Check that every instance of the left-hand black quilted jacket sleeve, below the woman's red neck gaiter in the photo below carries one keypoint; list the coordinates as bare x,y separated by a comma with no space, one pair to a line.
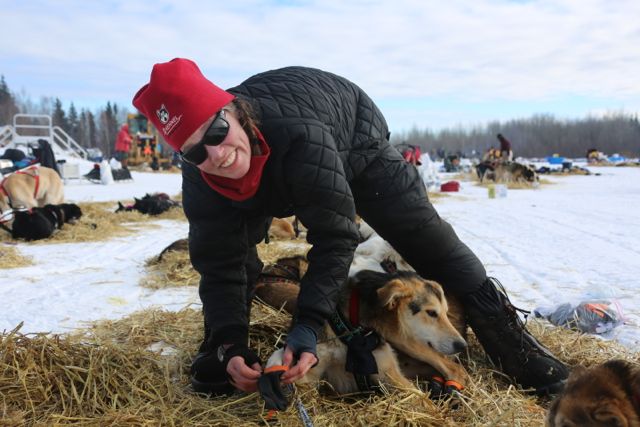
218,247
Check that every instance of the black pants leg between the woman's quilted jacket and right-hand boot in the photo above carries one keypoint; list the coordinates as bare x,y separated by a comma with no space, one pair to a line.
391,197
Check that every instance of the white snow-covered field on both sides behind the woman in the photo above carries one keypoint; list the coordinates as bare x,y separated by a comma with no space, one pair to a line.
571,240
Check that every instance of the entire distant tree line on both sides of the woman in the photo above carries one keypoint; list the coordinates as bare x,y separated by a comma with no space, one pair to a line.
537,136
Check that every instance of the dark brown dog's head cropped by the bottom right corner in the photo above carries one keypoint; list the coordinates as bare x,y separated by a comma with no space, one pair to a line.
603,395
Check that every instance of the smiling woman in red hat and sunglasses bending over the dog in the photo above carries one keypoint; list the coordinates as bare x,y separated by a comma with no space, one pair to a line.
306,142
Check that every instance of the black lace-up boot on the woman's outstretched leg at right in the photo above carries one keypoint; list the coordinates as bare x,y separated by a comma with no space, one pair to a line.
509,345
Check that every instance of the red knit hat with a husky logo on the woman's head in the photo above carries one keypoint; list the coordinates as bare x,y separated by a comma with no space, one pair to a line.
178,99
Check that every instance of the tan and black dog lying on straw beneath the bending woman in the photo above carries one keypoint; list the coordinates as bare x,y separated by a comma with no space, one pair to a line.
408,312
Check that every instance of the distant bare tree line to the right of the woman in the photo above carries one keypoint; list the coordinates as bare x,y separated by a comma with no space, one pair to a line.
537,136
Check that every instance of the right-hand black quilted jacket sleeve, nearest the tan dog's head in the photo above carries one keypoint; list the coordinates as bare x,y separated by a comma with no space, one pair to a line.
325,205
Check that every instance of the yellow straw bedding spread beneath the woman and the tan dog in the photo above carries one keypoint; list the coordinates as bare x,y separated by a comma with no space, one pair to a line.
135,372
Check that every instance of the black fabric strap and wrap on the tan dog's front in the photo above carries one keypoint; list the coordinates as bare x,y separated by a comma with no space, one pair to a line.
360,344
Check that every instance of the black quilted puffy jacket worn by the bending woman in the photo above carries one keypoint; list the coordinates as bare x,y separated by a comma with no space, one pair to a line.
323,130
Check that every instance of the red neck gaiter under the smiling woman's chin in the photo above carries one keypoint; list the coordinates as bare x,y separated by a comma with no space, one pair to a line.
247,186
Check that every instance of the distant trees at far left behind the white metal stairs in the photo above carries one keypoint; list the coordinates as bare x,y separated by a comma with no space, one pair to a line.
96,129
